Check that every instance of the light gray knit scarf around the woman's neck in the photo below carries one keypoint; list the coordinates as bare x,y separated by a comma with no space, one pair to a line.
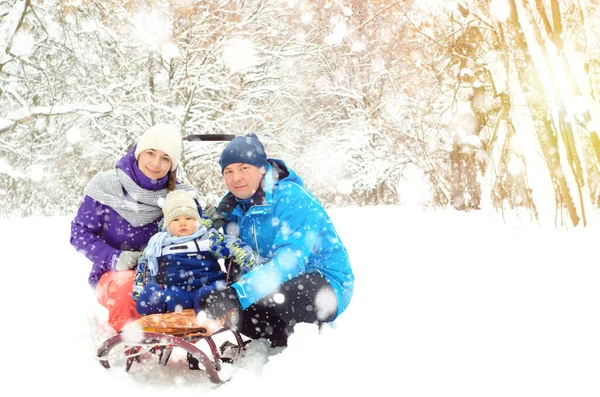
139,206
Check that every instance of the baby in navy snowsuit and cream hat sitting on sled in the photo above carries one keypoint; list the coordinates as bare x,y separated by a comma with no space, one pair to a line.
180,265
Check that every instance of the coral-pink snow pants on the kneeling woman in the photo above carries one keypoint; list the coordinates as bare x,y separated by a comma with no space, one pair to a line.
114,292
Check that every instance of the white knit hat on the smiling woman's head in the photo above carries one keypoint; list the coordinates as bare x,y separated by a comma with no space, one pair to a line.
163,137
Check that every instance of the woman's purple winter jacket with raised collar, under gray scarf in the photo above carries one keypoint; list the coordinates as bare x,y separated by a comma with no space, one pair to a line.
101,234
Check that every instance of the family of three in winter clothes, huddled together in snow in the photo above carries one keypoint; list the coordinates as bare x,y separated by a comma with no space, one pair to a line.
154,249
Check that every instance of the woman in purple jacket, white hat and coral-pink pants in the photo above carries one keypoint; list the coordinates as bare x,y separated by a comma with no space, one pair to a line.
119,214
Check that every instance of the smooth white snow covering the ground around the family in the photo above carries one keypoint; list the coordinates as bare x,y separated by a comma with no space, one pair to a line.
446,303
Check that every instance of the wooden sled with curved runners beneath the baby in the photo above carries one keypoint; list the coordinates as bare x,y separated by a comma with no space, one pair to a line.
160,333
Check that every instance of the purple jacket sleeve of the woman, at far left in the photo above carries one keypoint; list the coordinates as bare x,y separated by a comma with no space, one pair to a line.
85,236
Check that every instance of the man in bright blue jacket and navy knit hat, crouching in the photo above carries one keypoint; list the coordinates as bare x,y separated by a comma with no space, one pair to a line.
306,274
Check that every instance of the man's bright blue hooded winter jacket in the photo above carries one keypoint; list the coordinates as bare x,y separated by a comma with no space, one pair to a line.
291,229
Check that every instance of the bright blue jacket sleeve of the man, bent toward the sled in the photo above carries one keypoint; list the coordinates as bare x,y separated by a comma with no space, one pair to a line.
299,217
